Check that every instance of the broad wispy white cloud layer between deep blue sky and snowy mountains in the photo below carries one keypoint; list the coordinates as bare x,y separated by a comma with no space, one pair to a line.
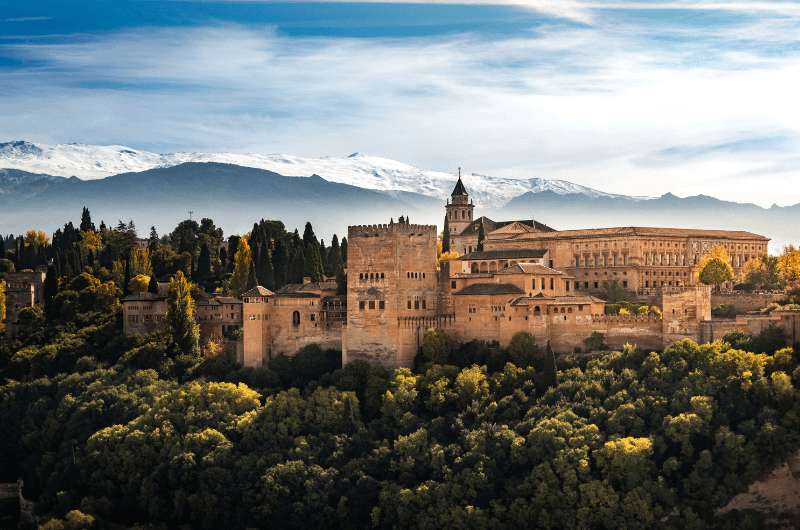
592,104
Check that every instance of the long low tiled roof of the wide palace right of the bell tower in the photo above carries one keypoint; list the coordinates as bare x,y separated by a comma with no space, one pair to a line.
644,231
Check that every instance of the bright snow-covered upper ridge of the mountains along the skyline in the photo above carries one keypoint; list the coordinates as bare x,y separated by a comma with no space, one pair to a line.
93,162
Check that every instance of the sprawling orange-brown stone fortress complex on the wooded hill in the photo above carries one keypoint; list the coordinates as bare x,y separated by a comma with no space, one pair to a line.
510,277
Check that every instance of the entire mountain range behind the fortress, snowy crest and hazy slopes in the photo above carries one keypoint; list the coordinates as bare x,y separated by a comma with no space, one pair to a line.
116,182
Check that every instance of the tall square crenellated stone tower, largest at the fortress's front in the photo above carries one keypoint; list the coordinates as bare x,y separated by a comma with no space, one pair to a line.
391,286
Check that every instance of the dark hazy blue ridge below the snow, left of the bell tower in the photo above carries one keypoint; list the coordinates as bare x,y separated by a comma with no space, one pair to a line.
234,196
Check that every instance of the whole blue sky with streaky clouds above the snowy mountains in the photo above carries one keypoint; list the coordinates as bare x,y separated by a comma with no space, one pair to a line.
687,96
